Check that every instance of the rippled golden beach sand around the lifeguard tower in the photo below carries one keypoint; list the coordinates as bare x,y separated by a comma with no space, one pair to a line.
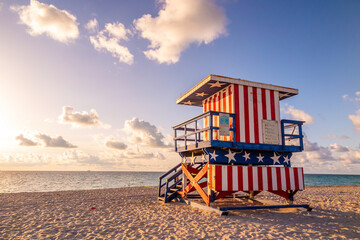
135,213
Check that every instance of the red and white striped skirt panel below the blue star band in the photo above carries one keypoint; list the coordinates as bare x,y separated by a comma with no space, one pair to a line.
245,178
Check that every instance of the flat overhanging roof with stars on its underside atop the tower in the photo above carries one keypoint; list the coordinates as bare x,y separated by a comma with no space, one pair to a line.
214,83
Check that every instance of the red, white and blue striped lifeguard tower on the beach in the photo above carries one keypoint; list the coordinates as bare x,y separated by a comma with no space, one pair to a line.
239,143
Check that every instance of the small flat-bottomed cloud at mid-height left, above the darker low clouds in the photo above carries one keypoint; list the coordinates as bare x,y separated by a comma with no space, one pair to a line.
81,119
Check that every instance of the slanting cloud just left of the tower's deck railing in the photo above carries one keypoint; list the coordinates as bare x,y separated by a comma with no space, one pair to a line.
145,133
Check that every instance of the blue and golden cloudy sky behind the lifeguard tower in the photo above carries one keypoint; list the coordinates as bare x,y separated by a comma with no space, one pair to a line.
92,85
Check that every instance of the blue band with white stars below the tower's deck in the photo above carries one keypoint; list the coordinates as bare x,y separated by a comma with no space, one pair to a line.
230,156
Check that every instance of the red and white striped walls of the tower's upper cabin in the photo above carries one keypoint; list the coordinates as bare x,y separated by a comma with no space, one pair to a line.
251,105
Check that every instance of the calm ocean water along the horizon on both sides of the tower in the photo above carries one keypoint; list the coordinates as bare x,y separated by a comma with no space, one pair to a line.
16,181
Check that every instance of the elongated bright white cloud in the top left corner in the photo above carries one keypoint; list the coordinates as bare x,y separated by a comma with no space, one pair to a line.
46,19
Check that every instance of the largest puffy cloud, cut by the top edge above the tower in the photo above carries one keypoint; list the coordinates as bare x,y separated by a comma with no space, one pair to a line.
178,24
